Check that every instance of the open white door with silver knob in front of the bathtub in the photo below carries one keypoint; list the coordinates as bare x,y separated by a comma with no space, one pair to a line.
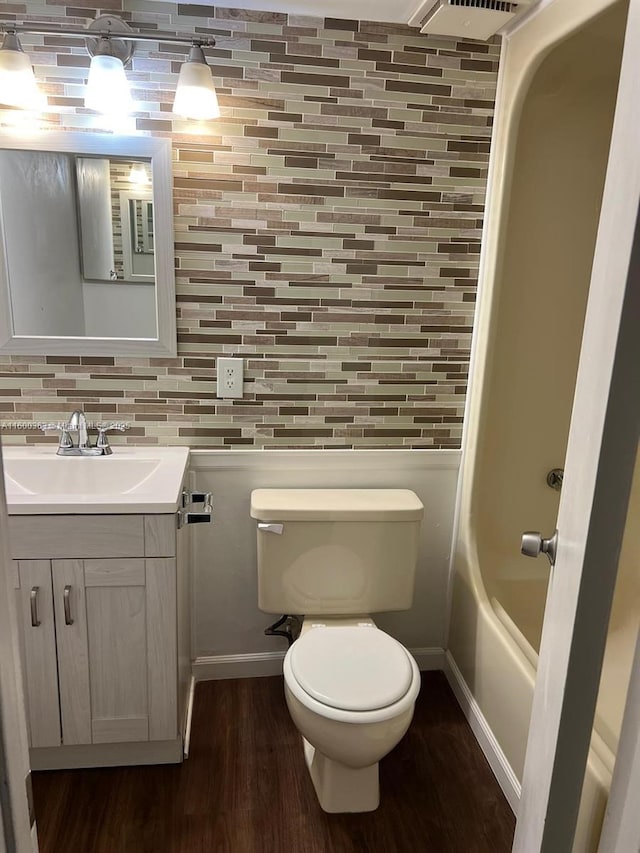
603,441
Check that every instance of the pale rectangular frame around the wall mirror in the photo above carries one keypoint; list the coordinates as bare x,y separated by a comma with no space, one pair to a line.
158,151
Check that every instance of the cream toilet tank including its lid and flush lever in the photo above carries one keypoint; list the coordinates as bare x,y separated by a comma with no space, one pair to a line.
336,551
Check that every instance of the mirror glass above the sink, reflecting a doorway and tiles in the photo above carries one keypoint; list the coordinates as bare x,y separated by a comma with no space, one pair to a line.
71,248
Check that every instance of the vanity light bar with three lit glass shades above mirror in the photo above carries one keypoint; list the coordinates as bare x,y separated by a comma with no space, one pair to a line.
110,42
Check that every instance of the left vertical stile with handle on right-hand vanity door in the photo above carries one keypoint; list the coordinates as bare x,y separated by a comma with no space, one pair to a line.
73,650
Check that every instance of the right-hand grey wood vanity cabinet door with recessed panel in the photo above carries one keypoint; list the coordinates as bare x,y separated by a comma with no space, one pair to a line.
116,629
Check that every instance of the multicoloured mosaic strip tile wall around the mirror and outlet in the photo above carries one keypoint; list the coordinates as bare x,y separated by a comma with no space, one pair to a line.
327,227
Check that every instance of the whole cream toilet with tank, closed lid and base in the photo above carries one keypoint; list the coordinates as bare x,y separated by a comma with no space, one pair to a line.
335,556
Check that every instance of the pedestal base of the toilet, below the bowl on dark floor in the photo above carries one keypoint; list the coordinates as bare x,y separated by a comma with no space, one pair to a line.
342,789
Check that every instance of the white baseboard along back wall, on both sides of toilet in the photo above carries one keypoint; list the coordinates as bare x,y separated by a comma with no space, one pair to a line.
215,667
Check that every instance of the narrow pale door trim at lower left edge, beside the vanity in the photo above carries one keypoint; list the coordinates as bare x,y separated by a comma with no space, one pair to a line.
15,823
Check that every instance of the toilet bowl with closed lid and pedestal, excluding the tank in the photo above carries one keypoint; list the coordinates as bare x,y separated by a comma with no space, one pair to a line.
351,690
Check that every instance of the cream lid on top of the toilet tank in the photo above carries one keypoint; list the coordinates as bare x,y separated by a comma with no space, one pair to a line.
336,505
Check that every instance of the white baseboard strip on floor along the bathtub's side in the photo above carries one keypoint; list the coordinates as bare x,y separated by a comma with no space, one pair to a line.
498,762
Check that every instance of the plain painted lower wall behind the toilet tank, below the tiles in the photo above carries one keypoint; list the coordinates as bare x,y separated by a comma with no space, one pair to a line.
226,619
